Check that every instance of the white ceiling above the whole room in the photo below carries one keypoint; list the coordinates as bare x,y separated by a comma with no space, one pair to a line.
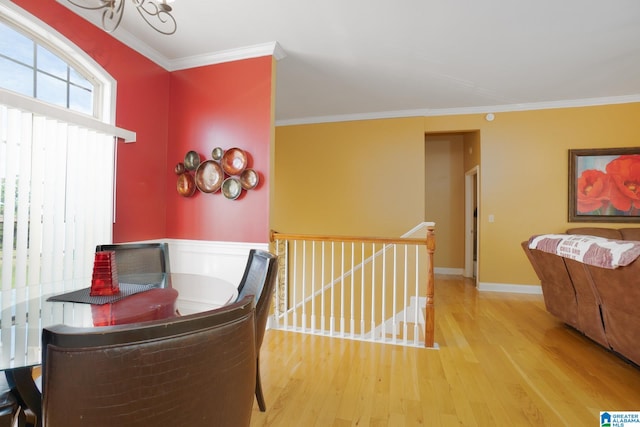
358,59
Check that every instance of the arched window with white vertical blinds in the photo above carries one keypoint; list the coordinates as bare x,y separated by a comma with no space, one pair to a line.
56,164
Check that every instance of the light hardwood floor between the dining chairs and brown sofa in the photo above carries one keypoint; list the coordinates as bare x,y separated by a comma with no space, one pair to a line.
502,361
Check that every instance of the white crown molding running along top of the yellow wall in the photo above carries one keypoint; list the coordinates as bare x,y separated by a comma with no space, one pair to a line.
432,112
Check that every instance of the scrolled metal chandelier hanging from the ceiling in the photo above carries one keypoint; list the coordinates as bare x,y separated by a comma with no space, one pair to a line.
156,13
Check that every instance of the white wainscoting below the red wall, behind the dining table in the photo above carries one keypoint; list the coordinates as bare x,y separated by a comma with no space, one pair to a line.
225,260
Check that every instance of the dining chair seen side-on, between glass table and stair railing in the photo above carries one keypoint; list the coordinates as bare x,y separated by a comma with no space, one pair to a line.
259,280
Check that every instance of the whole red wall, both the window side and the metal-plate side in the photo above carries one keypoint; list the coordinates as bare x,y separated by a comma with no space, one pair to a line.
225,105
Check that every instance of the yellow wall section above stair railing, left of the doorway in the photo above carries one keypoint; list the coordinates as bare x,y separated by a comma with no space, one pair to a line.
349,178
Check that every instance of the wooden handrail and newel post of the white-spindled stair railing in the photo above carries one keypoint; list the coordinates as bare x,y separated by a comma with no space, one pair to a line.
429,242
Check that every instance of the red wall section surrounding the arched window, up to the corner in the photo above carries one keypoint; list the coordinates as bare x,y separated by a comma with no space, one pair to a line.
142,106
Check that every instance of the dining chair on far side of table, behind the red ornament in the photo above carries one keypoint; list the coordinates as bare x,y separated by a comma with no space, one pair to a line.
139,259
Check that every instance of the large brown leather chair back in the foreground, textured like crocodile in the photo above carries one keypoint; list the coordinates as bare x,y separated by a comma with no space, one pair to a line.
195,370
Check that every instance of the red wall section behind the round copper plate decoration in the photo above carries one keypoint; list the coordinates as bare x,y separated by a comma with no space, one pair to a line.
225,105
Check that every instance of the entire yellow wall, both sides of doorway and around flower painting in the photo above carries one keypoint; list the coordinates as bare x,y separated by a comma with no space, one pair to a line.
368,177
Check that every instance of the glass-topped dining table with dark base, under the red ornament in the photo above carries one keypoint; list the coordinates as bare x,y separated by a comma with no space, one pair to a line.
141,298
